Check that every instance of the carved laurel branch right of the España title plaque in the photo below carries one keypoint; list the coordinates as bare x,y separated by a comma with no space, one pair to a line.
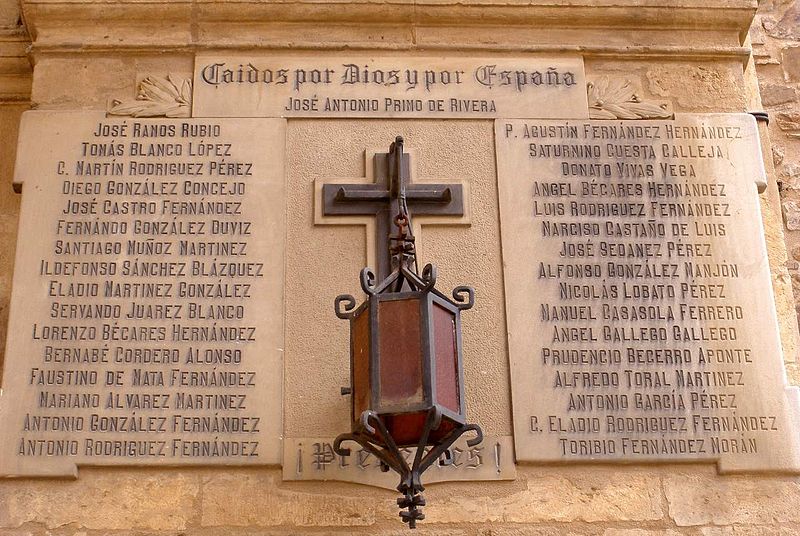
617,99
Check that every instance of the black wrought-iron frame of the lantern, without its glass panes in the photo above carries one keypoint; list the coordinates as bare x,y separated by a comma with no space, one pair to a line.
369,428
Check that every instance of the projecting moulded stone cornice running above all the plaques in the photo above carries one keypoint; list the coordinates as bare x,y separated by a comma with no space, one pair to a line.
222,24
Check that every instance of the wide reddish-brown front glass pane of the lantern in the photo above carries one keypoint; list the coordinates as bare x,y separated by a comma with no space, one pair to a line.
400,351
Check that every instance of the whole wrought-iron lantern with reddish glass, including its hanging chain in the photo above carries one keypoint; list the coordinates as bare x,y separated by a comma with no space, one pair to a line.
406,372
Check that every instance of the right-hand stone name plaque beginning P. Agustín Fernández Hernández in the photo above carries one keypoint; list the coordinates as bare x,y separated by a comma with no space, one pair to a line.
640,311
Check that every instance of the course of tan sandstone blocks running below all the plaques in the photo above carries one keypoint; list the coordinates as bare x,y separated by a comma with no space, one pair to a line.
574,501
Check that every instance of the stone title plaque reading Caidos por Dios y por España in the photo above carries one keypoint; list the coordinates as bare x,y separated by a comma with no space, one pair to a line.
391,86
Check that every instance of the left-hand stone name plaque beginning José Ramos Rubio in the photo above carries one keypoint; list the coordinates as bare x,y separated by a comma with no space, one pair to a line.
146,321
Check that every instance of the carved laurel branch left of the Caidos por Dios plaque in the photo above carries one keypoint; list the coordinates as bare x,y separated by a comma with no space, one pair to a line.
158,97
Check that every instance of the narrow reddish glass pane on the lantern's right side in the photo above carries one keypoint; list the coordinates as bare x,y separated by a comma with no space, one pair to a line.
445,348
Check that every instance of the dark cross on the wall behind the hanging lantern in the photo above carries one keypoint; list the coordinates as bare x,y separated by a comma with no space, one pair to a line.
381,199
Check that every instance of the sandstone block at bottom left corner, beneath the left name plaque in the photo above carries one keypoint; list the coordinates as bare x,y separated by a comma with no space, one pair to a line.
102,500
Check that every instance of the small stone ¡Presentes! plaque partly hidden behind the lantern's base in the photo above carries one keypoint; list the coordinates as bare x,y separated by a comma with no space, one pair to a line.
314,459
